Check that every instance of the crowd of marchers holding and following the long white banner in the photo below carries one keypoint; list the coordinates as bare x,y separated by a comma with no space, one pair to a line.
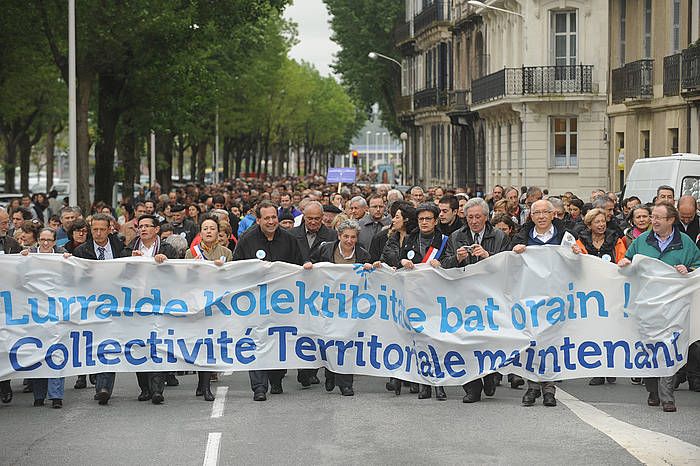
304,221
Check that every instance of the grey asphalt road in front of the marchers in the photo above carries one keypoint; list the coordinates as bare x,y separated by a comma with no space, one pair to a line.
373,427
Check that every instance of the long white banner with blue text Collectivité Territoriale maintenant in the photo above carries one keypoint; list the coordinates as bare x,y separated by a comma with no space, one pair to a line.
546,314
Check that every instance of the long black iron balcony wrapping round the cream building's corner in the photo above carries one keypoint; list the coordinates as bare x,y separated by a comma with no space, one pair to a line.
533,80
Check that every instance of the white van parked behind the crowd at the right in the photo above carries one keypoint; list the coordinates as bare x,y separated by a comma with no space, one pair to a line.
680,171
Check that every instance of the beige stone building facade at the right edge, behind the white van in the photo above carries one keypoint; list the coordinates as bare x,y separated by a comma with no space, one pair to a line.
654,57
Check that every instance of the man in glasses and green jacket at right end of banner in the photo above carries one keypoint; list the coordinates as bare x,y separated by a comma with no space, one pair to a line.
666,243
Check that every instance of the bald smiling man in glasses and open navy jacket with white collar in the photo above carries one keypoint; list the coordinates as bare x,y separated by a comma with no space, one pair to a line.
540,230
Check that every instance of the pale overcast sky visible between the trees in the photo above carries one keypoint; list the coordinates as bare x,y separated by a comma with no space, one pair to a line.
315,44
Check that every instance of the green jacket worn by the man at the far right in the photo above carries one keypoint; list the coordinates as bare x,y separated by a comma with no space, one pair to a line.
681,251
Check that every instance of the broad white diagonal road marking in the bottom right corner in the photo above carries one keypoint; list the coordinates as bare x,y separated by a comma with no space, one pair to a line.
647,446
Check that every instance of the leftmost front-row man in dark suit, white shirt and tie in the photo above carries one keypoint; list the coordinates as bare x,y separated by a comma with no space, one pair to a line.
102,246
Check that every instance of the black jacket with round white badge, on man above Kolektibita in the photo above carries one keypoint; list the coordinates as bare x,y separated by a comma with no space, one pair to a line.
284,247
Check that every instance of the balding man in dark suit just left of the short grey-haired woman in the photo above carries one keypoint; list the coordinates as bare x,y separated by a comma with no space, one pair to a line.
310,235
